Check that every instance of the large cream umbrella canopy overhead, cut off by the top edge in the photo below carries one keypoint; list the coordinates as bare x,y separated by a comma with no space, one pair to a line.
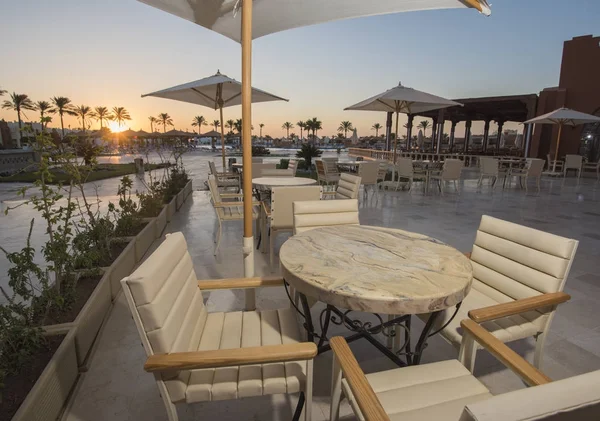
270,16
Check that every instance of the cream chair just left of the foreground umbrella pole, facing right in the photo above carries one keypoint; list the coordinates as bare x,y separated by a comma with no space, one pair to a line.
228,207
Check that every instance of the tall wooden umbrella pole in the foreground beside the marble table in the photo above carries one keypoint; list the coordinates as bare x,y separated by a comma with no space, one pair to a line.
248,247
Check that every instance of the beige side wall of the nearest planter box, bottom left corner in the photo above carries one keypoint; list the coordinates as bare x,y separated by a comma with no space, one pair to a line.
50,392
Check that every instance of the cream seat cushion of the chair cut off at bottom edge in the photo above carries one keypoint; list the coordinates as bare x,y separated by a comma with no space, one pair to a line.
436,391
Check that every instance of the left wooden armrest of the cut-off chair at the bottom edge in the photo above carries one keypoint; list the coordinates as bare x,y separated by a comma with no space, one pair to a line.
365,396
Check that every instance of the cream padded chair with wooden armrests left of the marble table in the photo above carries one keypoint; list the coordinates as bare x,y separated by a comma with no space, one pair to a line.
198,356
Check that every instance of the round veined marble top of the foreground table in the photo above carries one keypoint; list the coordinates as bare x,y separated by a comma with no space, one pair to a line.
375,269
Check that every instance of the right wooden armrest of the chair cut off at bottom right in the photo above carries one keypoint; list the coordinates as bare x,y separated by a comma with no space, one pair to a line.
530,375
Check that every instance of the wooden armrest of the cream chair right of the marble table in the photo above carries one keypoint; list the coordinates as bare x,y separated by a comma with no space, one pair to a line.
498,311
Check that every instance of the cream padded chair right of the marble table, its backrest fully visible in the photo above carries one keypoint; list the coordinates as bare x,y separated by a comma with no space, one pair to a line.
513,267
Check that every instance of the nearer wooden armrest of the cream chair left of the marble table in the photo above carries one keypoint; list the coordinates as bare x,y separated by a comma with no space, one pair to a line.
230,357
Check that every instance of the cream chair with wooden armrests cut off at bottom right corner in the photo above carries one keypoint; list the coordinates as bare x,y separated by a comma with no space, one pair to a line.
448,391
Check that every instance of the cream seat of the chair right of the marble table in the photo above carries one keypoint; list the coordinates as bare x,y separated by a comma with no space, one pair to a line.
506,329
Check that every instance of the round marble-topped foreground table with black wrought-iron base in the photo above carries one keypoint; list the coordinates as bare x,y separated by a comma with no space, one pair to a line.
374,270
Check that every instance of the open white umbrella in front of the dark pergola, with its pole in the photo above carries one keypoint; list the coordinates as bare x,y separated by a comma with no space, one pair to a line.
402,99
